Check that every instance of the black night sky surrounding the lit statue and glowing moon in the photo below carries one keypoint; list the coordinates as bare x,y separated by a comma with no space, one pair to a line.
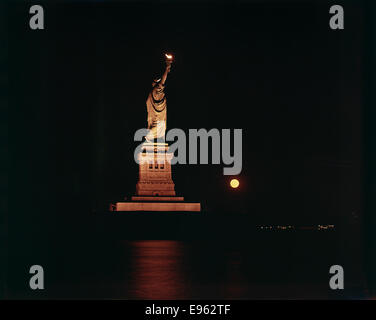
78,92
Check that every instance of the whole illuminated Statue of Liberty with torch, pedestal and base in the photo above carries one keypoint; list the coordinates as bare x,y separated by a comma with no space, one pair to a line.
155,189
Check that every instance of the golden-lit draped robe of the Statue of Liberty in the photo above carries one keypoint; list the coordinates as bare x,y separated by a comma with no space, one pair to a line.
157,113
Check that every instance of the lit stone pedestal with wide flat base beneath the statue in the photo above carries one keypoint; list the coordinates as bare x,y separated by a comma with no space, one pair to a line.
155,190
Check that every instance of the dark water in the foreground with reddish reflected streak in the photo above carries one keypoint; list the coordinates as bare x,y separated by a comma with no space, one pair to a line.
264,265
